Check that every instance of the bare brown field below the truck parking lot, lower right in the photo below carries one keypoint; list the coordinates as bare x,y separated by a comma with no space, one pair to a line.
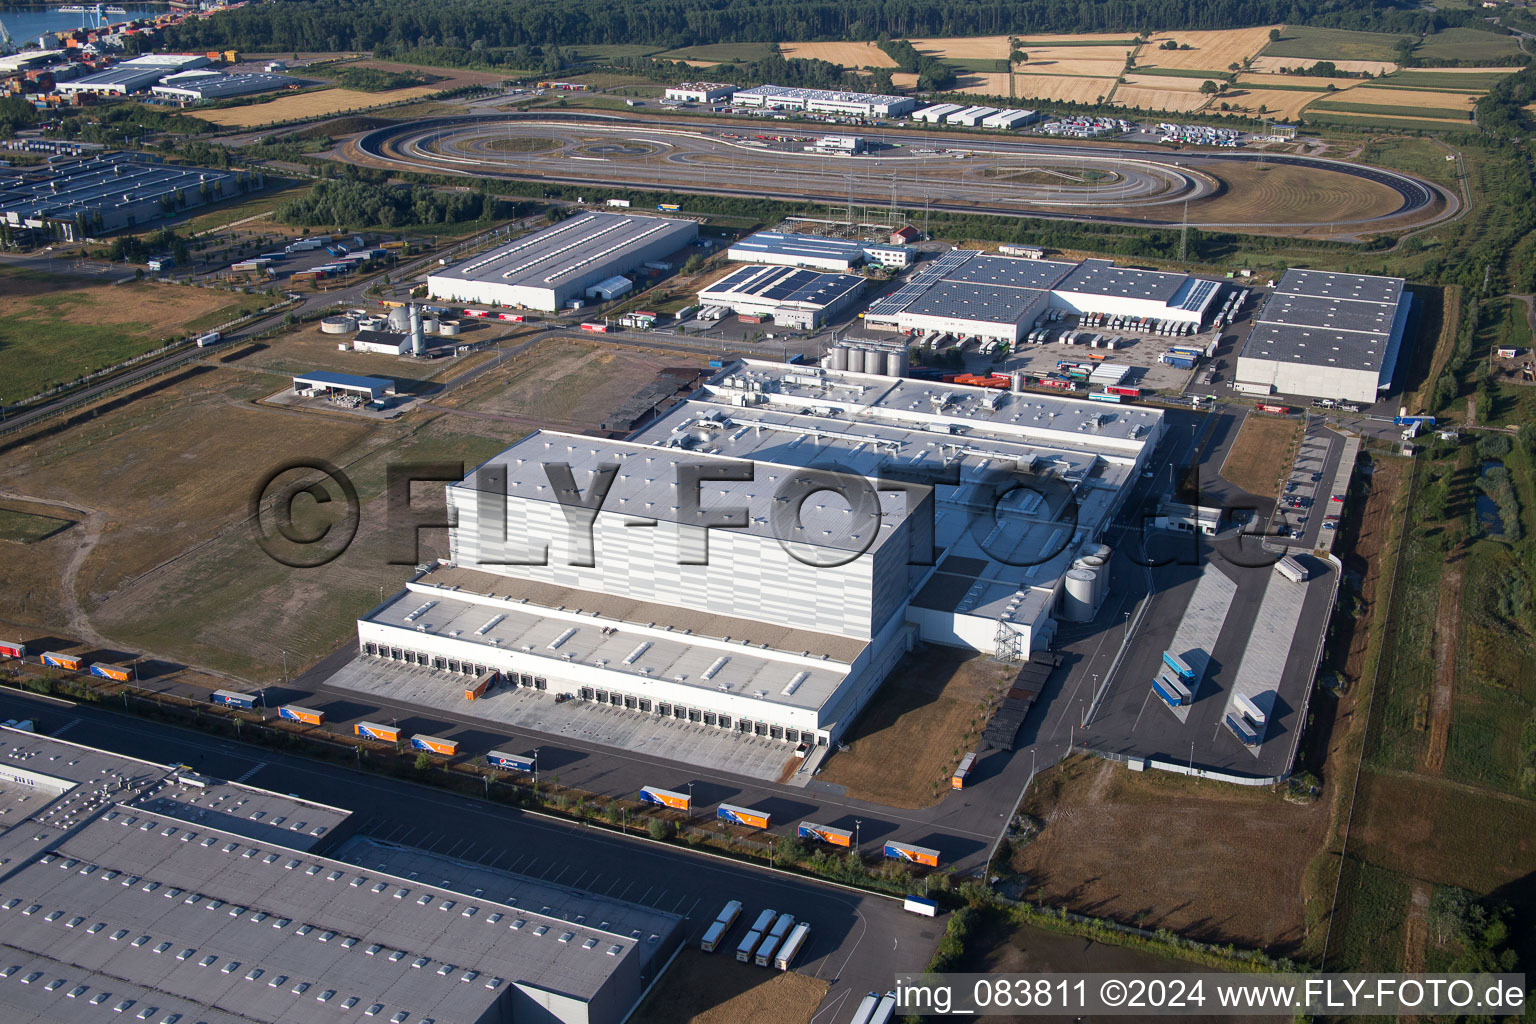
1208,839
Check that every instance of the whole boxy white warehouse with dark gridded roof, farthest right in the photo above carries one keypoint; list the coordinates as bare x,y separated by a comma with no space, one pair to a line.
1328,335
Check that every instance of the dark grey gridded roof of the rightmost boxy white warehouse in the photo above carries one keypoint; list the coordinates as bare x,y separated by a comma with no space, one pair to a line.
1331,320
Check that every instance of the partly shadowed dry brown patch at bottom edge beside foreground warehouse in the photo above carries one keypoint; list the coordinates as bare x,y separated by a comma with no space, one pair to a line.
704,989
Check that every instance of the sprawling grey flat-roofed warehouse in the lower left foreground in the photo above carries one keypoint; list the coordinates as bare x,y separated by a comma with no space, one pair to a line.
177,899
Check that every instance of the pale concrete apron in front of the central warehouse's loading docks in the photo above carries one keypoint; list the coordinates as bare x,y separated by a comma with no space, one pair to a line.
753,758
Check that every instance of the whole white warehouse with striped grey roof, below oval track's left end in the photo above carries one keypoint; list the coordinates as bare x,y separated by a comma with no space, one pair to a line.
551,268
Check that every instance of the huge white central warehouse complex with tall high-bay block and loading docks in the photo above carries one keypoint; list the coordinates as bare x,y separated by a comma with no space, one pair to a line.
784,619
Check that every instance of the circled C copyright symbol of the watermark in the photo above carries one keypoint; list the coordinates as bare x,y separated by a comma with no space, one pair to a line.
300,521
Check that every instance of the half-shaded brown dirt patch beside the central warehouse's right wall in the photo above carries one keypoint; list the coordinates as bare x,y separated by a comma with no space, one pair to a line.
919,721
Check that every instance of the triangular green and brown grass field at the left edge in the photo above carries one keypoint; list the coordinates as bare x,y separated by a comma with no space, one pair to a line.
55,329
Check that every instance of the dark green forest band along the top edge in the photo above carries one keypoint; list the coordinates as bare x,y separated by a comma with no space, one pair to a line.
488,25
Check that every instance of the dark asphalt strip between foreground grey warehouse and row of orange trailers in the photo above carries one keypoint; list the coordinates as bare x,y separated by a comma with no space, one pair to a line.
858,940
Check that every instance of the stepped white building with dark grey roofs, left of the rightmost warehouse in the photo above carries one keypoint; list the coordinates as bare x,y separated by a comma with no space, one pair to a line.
998,299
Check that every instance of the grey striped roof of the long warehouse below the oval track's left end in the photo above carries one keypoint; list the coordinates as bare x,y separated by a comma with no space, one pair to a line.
564,253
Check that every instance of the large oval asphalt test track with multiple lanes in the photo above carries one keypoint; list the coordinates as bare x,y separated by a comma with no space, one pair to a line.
910,170
